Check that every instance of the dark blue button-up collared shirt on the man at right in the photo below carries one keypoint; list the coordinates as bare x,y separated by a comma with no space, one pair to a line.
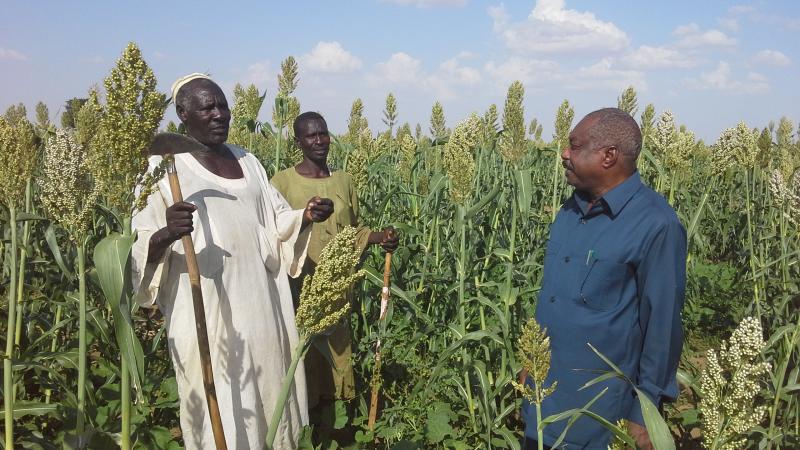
614,276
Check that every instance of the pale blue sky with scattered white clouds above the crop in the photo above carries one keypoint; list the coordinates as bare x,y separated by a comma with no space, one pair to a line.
713,63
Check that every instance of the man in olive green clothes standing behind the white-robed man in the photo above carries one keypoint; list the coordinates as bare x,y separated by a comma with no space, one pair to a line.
329,371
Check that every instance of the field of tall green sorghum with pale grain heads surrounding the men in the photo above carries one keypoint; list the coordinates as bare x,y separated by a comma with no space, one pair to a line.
83,368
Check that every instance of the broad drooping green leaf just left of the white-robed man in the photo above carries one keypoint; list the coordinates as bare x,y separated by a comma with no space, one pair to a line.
111,261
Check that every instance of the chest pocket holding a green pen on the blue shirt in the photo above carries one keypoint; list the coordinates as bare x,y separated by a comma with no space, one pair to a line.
603,284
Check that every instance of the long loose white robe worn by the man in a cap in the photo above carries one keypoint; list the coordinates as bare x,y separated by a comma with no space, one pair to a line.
247,239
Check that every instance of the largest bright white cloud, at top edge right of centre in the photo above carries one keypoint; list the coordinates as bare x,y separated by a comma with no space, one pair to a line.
551,27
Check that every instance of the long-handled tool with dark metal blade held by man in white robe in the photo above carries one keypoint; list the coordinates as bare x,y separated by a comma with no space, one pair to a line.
168,144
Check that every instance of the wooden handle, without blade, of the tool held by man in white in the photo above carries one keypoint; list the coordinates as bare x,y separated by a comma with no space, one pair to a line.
199,316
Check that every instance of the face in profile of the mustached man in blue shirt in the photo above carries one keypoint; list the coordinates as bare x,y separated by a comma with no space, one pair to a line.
582,159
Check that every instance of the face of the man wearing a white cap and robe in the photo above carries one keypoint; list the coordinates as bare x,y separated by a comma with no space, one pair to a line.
206,116
